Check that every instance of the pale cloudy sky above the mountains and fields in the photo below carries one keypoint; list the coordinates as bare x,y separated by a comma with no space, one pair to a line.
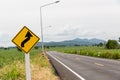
66,20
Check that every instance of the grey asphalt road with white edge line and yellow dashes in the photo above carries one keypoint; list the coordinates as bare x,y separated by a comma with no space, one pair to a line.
77,67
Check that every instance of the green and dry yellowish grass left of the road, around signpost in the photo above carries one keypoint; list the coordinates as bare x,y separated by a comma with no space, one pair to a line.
12,65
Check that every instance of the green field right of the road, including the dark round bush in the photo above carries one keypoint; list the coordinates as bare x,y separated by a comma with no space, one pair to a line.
110,49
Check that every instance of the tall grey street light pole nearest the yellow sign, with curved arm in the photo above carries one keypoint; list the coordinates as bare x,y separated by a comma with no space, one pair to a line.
42,24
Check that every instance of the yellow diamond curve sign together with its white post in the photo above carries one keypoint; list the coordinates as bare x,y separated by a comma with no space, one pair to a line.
25,40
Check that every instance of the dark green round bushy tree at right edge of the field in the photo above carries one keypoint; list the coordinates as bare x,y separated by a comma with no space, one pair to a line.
112,44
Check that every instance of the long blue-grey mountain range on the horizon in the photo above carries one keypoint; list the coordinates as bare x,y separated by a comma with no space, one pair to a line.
73,42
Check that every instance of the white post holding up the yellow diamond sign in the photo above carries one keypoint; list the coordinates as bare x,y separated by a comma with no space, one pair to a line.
27,64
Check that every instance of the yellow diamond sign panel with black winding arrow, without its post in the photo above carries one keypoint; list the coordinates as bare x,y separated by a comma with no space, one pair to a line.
25,39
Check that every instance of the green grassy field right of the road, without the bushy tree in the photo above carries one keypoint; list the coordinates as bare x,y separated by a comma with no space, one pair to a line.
90,51
